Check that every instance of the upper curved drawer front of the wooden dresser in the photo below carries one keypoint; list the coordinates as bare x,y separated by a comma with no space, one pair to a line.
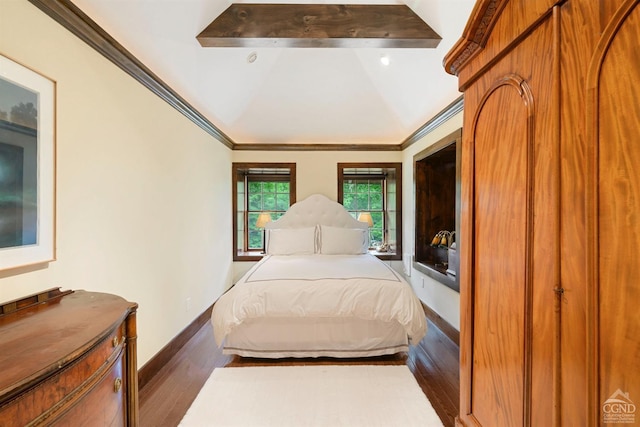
53,396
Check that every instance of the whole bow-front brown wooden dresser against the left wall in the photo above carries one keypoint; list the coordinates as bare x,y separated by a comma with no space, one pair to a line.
68,358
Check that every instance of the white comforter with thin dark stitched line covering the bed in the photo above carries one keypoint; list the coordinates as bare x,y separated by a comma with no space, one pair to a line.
320,286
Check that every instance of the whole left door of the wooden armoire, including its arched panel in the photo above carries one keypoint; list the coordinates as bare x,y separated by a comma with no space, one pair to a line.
510,211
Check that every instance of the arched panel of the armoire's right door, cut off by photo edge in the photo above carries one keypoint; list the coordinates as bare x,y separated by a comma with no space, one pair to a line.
613,205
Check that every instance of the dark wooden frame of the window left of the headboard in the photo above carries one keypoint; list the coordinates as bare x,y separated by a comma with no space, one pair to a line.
237,172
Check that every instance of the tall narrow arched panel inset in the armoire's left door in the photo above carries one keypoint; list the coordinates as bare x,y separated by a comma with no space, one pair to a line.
500,284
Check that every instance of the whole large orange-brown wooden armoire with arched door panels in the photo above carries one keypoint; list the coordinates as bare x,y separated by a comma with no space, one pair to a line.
550,213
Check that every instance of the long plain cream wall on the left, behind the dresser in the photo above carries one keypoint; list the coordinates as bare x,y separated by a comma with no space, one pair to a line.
143,194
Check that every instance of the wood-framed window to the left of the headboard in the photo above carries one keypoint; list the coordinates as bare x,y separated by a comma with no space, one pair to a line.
266,189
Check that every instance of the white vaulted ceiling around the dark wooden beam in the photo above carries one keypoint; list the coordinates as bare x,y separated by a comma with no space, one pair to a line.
290,95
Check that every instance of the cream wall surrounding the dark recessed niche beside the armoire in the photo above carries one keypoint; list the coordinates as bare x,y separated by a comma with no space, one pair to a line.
442,299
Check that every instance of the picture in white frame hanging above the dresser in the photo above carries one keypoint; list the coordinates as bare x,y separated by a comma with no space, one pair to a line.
27,166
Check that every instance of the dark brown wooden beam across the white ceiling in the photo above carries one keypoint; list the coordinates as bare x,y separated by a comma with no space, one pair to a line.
318,25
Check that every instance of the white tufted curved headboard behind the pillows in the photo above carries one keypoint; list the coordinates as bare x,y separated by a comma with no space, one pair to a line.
316,209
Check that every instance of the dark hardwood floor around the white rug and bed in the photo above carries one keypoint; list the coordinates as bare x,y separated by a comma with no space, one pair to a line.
166,397
